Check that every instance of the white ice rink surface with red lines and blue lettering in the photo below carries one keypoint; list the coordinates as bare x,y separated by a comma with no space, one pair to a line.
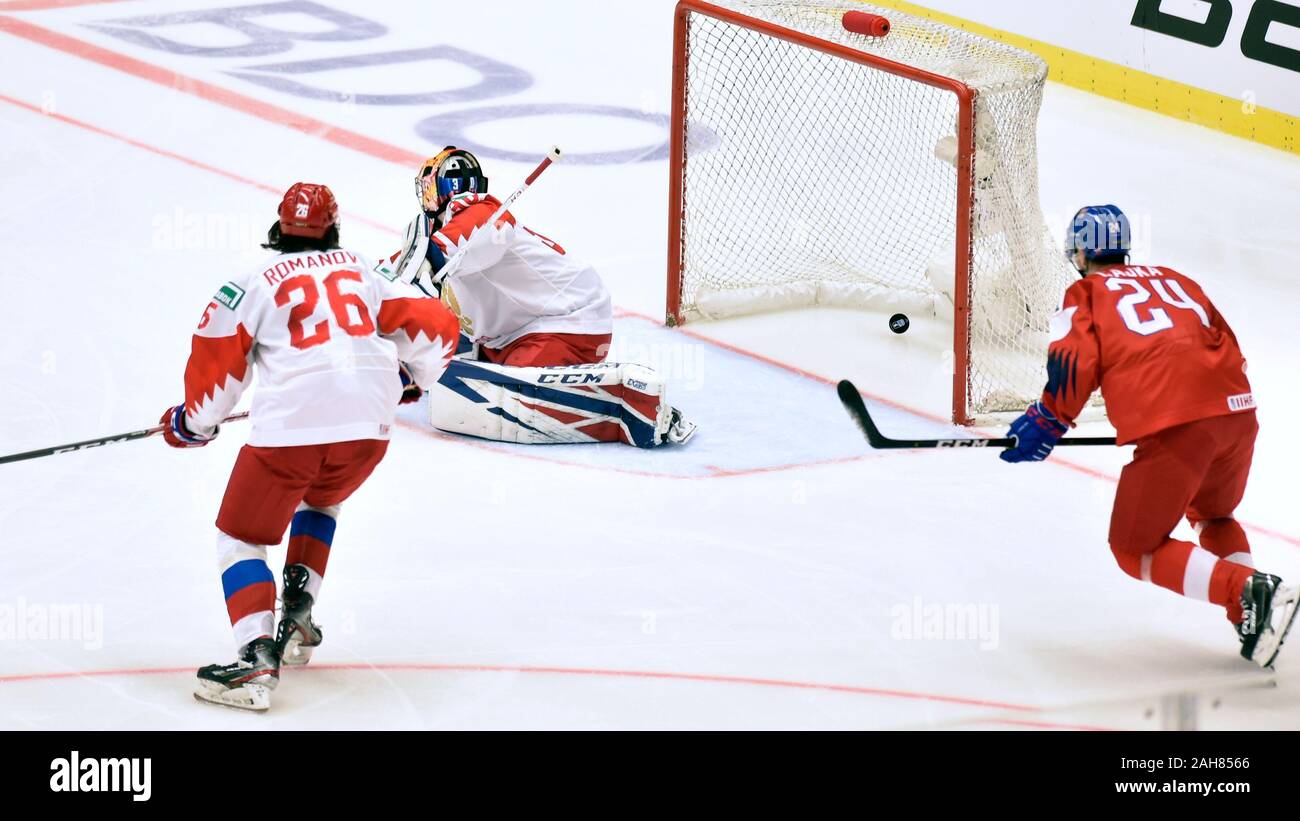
774,574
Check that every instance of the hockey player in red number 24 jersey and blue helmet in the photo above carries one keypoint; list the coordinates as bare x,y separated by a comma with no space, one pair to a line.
1176,386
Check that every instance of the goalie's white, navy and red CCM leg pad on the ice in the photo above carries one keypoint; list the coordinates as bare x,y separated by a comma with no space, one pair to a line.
605,402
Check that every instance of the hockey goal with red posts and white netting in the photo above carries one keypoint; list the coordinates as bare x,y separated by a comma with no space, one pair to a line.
813,166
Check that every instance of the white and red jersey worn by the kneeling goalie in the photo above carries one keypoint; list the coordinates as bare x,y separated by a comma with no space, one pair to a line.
510,281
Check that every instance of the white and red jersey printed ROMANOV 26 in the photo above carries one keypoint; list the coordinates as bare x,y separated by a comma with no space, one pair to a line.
326,333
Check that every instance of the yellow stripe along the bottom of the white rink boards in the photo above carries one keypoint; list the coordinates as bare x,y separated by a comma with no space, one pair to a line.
1156,94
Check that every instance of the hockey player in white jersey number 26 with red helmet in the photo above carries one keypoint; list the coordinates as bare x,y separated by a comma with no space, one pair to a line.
326,335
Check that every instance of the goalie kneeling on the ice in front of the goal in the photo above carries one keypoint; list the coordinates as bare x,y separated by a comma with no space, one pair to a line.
536,325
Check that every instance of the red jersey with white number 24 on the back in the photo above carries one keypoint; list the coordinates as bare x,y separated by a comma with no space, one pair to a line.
1154,342
